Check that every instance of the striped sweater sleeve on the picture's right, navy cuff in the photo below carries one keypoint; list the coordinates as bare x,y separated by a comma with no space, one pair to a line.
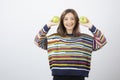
99,39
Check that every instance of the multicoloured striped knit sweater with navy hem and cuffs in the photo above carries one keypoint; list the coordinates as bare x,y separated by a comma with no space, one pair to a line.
70,55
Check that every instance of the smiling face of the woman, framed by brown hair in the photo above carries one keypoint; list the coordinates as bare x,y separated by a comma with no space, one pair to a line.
69,21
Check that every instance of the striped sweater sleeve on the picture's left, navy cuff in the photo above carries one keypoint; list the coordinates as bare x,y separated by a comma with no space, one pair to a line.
41,39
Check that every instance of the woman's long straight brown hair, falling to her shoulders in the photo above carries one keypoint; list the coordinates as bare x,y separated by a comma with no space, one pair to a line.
61,29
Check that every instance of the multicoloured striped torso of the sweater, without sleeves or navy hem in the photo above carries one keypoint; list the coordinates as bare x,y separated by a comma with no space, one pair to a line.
73,53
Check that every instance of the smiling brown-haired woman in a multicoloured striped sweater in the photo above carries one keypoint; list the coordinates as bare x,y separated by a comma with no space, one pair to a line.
70,51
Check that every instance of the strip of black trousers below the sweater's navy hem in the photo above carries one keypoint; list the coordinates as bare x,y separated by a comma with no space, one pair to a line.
68,78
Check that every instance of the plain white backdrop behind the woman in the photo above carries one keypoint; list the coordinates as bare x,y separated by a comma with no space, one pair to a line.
20,20
